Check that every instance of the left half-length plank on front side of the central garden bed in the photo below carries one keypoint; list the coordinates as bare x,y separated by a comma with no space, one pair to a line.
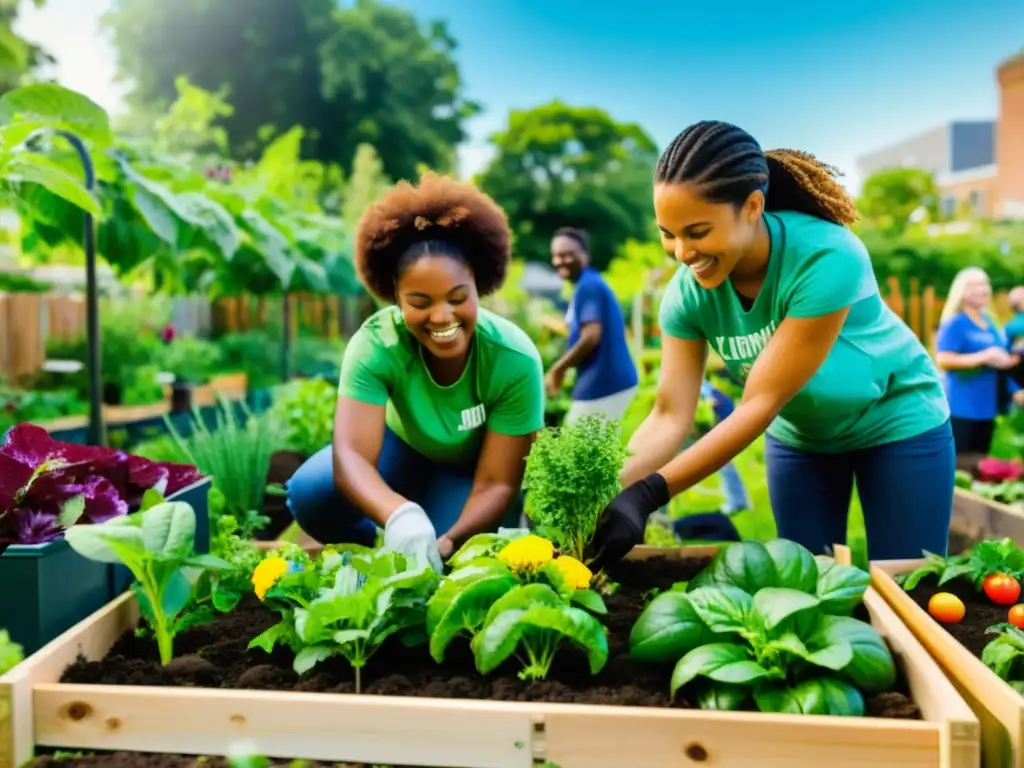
315,727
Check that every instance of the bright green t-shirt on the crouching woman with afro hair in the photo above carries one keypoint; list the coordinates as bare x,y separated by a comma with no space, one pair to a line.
502,388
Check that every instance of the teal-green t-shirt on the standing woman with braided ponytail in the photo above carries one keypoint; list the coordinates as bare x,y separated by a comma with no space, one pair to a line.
877,386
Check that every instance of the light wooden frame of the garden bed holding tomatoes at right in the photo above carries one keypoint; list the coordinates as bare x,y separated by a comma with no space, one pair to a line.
999,707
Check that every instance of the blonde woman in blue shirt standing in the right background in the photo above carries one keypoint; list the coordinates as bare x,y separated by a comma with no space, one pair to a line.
971,350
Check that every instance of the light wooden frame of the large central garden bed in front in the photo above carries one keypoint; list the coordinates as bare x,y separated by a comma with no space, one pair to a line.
418,731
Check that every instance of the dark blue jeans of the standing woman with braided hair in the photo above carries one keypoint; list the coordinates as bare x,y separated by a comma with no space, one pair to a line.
906,490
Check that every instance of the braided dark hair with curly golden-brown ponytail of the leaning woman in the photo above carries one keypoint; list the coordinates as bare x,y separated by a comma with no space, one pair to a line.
728,164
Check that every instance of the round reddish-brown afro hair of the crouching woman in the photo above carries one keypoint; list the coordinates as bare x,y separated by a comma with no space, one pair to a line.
440,217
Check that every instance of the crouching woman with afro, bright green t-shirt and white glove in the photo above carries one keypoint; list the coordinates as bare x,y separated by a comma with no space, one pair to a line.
440,399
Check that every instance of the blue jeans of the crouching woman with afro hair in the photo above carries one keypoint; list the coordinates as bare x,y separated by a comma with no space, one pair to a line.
442,490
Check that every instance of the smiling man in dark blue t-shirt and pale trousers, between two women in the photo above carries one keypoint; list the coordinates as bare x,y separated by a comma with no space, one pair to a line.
607,376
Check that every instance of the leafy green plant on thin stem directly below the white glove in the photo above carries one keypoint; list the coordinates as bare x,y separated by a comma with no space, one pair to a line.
374,596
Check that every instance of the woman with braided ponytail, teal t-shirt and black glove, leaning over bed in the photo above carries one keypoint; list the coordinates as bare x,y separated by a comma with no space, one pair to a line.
780,287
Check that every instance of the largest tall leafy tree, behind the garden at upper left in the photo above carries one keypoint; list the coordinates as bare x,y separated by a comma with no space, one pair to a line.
366,73
